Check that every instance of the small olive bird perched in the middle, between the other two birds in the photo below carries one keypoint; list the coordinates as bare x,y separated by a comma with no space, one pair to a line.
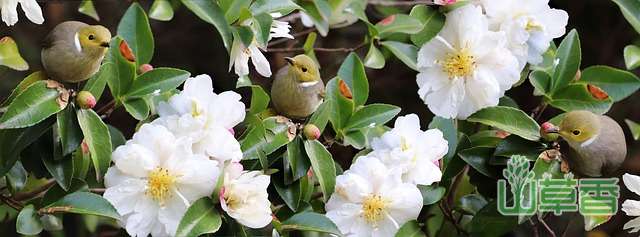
297,90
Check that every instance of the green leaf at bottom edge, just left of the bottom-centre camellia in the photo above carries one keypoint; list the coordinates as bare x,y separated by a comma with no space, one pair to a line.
310,221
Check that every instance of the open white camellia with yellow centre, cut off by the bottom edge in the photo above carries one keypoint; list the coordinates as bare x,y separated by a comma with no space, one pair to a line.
371,200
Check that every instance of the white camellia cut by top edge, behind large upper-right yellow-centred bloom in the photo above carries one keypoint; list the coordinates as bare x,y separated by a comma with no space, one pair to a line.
530,26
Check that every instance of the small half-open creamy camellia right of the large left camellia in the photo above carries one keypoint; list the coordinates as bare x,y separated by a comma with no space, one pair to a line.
244,196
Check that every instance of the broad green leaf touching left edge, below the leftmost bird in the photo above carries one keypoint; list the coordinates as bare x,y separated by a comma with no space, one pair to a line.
35,104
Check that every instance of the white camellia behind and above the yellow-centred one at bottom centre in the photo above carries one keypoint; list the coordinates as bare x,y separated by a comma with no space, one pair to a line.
414,151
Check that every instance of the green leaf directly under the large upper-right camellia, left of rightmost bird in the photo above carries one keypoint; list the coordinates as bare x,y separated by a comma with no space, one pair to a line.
509,119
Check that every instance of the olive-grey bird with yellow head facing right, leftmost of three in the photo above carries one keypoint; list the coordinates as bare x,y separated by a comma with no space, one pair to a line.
73,51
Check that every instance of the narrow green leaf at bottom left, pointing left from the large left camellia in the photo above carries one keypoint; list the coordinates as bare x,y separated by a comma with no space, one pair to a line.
86,203
